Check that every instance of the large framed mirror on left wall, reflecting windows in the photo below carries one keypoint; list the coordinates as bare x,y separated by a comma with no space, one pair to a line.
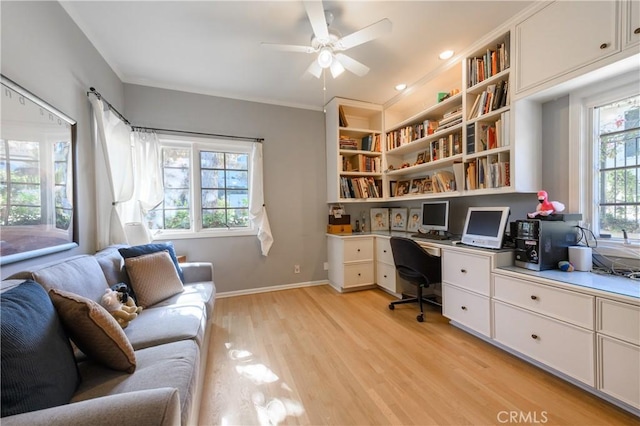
40,143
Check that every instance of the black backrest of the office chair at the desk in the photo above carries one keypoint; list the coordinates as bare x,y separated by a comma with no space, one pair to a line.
413,263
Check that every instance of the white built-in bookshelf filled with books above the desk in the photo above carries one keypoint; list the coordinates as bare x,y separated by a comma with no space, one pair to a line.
452,135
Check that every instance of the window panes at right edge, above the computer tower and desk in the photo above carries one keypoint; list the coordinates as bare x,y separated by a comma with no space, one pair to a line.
616,181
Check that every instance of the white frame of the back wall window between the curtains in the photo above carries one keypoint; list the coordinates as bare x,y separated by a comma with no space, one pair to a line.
196,145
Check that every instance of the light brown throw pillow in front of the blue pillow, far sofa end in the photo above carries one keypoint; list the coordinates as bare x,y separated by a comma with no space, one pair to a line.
153,277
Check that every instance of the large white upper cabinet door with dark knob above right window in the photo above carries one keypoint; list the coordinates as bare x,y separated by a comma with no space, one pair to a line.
563,37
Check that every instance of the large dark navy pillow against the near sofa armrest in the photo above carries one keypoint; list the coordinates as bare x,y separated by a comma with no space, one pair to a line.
38,368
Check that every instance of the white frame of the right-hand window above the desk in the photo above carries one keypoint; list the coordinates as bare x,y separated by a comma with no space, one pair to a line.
583,136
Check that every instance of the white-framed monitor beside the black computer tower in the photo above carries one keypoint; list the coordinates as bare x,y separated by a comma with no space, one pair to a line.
485,226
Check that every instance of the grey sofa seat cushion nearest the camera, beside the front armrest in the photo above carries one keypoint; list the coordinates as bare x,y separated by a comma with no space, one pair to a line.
174,365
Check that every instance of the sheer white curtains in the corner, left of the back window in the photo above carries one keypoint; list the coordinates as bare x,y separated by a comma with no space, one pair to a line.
128,179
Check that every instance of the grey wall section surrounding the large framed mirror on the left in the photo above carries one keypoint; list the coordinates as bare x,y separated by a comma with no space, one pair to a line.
45,52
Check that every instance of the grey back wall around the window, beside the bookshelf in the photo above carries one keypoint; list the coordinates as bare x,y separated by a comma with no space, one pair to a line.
294,183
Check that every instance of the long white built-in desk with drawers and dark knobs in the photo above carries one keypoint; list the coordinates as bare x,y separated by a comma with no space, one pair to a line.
581,326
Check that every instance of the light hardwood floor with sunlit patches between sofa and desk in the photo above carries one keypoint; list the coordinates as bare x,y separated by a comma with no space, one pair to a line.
313,356
